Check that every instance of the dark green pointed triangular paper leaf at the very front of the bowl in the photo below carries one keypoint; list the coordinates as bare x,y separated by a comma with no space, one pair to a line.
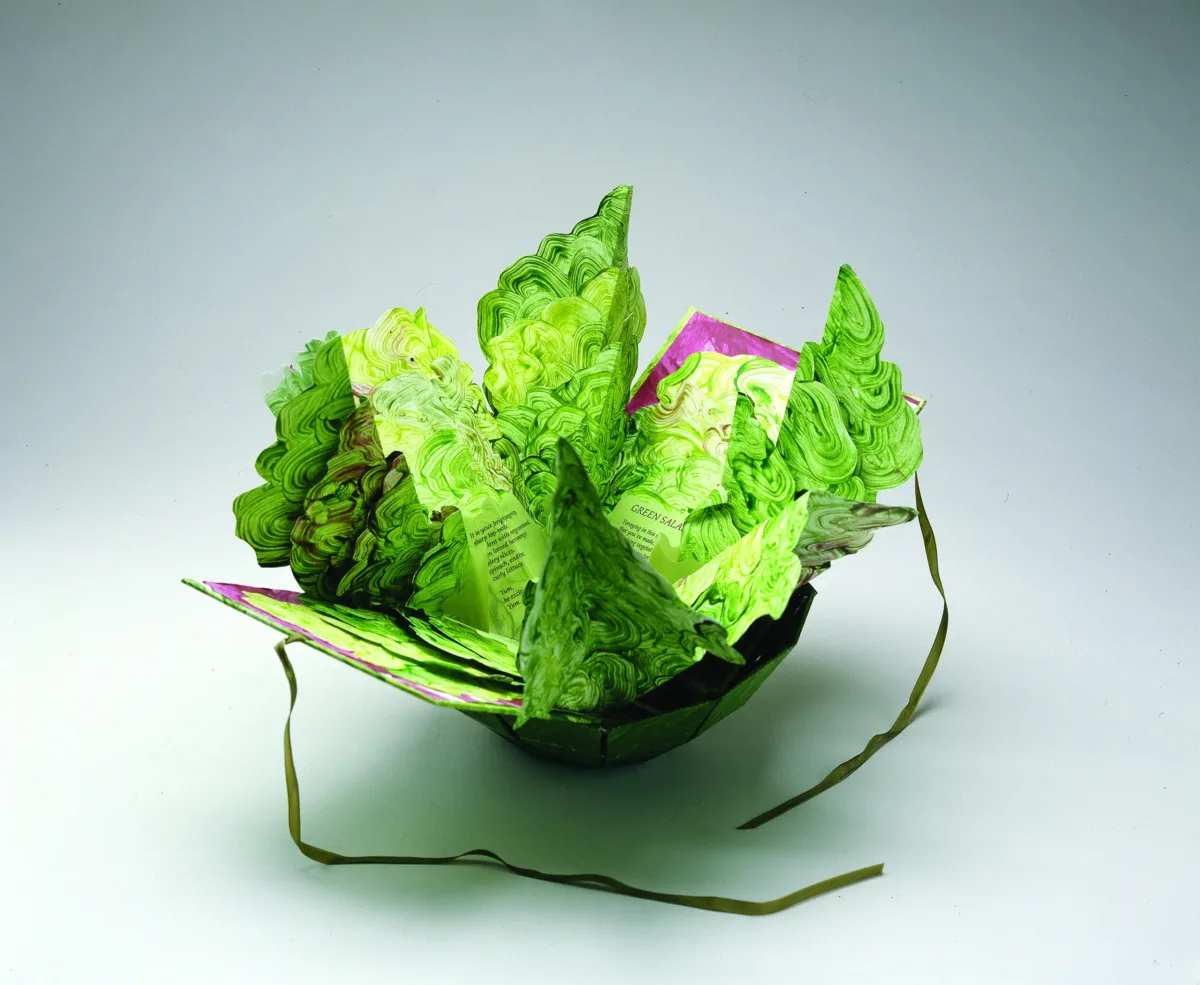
603,627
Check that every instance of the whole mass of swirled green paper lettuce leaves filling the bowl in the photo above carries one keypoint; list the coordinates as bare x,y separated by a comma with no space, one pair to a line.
383,488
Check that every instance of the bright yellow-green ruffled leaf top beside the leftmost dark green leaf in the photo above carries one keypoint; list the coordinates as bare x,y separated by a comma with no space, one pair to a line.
401,341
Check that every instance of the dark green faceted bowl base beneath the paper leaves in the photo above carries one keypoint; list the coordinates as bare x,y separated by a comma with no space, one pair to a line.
675,714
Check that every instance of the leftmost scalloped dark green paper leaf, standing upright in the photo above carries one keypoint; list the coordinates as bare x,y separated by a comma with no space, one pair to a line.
308,430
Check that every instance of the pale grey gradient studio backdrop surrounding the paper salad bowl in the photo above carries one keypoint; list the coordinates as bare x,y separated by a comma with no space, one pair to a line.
190,193
